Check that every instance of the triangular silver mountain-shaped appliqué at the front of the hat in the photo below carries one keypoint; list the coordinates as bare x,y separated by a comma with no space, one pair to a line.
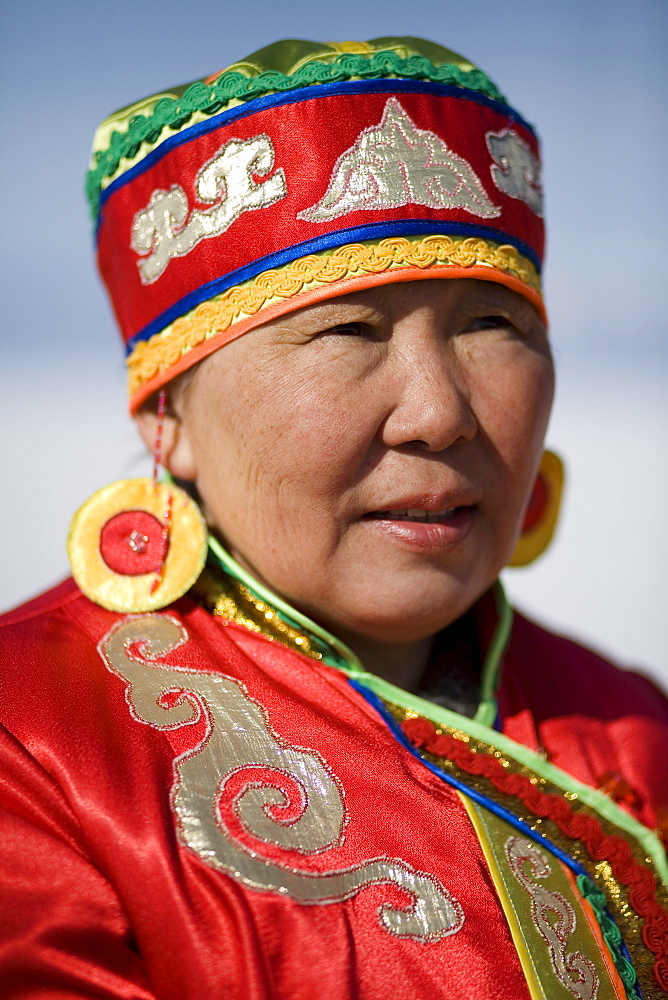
394,164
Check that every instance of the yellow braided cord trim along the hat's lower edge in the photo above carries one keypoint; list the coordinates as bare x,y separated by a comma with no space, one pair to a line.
151,357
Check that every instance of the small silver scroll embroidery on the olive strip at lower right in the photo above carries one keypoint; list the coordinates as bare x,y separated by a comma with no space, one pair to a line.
576,972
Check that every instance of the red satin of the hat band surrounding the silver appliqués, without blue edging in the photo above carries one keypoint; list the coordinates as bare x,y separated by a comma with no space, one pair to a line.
308,138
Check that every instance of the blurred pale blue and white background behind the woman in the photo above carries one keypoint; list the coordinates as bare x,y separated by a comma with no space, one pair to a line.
591,74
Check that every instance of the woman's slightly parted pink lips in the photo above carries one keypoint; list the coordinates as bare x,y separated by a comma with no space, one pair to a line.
424,530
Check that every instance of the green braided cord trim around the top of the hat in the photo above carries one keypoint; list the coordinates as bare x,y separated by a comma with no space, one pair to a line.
209,99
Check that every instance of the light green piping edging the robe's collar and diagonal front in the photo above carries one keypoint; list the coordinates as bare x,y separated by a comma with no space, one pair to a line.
337,654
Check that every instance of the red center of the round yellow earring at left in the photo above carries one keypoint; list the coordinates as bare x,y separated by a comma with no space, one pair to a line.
132,543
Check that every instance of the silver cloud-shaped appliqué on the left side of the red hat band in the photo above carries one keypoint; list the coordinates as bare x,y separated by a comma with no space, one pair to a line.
225,182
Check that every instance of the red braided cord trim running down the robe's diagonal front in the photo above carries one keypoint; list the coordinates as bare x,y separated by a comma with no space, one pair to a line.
637,878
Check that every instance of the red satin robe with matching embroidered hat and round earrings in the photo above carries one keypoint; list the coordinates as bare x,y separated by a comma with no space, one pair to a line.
207,795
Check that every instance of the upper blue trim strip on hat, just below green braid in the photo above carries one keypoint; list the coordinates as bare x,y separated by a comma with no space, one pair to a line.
297,96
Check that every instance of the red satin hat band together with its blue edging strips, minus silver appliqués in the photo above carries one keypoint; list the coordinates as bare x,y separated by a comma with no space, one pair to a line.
308,137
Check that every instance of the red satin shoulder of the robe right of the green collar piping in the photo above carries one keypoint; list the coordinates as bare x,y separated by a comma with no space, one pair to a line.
590,717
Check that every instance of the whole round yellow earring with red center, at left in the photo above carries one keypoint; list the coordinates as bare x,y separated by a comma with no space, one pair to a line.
137,545
